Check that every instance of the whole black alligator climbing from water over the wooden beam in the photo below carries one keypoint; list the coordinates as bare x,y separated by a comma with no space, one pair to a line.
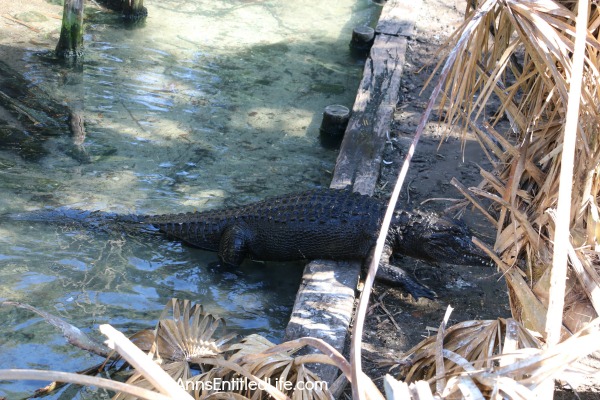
335,224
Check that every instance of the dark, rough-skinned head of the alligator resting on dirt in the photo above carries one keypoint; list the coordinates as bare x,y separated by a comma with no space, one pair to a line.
429,237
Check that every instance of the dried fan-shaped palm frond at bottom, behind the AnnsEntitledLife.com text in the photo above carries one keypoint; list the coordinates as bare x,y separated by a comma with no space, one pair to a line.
191,346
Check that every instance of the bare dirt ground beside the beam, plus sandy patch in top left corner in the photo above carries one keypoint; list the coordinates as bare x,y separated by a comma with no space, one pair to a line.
395,322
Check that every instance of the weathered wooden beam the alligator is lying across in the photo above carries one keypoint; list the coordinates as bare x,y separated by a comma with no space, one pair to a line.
325,302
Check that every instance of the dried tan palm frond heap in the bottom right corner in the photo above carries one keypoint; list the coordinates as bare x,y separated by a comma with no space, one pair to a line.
487,359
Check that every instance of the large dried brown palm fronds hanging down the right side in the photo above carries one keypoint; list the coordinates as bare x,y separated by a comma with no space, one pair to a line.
519,54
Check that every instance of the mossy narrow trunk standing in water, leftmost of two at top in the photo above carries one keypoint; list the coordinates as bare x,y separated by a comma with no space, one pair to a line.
70,44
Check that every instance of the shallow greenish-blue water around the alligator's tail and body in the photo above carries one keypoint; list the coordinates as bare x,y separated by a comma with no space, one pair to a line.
209,104
